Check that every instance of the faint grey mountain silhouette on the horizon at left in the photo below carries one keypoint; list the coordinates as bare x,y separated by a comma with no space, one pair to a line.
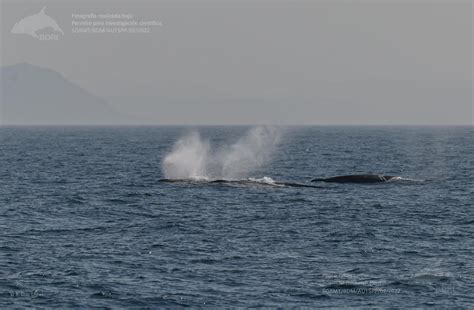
34,95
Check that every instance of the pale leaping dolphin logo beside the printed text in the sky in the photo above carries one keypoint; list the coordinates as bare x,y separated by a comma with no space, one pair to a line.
31,24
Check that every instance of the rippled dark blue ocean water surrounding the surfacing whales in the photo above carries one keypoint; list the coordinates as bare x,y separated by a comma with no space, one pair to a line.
87,220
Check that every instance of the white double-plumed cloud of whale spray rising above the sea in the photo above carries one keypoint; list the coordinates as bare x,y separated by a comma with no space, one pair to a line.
193,157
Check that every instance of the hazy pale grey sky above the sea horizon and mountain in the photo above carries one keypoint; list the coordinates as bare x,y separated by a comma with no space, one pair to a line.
252,62
